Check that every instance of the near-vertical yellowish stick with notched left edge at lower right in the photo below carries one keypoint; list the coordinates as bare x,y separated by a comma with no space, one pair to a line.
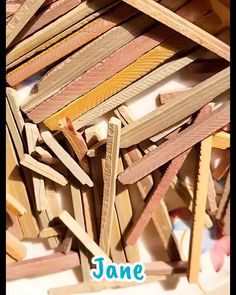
199,209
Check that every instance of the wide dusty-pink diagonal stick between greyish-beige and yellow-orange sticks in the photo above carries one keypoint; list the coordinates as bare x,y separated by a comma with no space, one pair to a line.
109,66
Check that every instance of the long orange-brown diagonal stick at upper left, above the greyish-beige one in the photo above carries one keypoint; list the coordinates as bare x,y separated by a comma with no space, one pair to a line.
86,34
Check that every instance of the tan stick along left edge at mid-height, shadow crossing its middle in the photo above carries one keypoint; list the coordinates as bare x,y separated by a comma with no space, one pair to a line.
16,187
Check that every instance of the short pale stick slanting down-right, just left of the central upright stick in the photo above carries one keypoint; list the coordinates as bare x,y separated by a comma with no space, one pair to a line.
66,159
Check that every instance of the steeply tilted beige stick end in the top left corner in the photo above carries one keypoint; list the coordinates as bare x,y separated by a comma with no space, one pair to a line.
20,19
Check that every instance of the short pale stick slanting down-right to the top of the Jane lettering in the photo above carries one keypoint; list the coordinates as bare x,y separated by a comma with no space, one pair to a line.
79,232
